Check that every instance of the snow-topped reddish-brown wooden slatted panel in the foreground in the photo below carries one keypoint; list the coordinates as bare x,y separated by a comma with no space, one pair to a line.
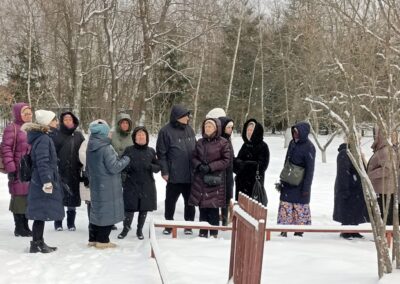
247,244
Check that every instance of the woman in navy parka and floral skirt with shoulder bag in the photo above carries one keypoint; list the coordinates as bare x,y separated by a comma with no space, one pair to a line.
294,208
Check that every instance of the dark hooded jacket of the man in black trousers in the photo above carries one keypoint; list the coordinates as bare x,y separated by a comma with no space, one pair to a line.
175,145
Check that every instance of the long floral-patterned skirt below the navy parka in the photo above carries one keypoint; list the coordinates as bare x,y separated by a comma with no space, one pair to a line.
294,214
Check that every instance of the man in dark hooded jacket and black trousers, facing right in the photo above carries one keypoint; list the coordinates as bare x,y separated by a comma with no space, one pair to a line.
175,144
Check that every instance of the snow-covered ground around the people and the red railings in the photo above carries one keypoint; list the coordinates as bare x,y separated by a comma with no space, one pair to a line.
315,258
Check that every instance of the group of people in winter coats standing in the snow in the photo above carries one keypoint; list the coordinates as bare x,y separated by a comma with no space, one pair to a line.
201,171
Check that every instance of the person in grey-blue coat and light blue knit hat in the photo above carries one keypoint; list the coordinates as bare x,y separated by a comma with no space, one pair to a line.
104,170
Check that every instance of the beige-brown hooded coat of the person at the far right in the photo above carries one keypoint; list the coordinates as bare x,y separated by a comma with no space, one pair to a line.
379,169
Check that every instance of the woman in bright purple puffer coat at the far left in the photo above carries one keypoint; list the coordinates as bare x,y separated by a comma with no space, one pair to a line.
13,147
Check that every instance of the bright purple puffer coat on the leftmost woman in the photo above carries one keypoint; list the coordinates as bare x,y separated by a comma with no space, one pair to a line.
14,135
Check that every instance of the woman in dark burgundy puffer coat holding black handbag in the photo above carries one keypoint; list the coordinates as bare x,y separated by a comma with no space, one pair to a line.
211,158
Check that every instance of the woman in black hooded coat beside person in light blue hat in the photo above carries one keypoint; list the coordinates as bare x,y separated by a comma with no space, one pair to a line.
139,188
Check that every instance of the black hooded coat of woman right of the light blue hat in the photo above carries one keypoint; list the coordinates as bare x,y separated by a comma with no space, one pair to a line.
139,186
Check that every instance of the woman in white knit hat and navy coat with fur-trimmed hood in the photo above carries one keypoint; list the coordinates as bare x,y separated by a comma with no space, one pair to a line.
45,195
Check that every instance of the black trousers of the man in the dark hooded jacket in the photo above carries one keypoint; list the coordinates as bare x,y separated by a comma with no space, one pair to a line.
174,190
